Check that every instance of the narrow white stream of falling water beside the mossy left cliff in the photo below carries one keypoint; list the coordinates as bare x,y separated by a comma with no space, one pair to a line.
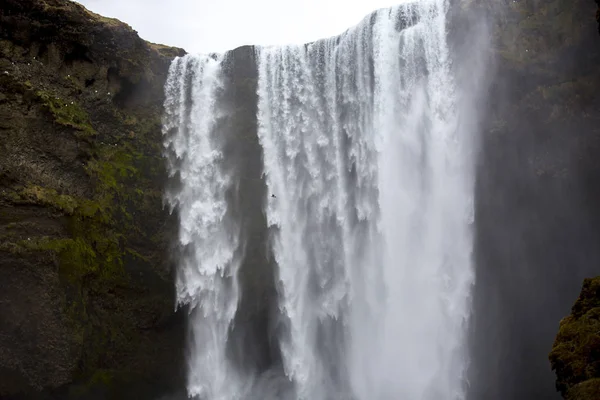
208,236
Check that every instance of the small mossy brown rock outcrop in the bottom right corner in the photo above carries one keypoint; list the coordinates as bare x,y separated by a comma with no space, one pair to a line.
575,355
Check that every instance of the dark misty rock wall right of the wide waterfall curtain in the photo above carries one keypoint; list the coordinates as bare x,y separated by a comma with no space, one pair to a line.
537,193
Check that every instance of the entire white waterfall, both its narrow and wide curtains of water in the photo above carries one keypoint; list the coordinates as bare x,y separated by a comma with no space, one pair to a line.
370,213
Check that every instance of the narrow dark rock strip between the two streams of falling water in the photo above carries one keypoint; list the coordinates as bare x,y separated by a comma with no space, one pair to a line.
250,342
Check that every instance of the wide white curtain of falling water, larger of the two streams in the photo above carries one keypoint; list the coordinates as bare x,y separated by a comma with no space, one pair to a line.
372,178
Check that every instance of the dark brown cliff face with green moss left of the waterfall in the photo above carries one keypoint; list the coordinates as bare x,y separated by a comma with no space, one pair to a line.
86,298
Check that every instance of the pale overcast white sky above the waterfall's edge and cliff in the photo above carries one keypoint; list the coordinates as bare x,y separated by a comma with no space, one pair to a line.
219,25
